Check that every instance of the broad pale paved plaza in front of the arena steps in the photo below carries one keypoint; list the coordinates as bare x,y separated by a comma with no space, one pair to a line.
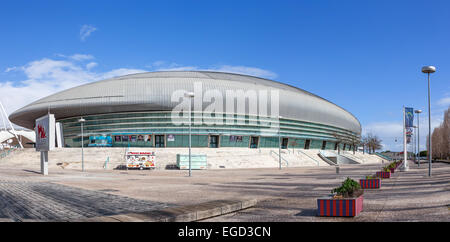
284,195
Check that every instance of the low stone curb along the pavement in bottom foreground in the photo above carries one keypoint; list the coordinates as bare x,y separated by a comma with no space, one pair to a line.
187,213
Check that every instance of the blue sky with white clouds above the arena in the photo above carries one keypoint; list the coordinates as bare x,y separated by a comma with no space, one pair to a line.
362,55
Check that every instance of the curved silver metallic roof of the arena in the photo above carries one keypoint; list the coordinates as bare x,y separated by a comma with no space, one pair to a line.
152,92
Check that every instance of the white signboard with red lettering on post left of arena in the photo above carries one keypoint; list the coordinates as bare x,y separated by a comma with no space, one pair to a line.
45,133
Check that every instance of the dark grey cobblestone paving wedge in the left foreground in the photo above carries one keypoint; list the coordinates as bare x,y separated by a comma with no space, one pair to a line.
24,200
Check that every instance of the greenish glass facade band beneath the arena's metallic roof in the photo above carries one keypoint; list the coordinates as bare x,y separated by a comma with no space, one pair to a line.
160,129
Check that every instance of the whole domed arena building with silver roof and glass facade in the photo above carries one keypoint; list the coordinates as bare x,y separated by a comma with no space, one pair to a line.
137,111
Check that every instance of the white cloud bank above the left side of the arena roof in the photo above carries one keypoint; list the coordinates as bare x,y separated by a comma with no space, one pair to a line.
50,75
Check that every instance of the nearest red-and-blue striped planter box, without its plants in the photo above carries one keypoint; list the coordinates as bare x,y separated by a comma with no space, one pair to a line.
346,207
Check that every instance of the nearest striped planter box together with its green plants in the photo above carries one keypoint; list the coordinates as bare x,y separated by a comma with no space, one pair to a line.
345,201
